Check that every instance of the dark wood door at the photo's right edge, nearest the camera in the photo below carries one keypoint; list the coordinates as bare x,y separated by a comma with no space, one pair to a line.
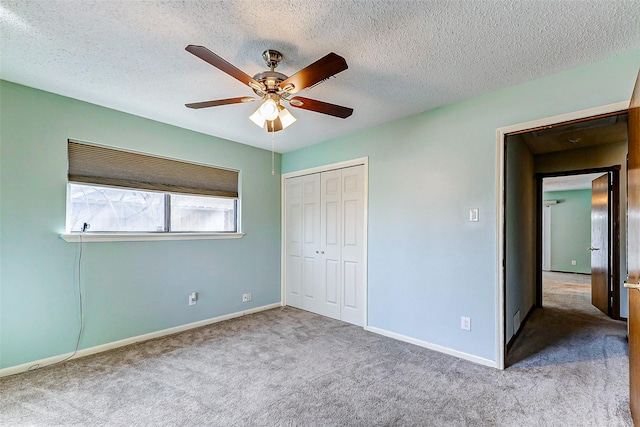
633,251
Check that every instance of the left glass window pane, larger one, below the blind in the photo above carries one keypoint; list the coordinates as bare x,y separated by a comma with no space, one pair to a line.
115,209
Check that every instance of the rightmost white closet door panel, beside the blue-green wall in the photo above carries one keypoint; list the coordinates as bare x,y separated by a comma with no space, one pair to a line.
353,249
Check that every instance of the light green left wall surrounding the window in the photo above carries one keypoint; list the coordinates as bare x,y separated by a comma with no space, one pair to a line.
129,288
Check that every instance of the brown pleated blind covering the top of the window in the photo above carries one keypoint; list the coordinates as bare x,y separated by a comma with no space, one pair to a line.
94,164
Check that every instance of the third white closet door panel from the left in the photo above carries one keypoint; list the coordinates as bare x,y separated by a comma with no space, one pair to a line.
329,277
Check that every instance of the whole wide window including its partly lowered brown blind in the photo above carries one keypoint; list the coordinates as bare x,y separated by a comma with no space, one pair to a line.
123,192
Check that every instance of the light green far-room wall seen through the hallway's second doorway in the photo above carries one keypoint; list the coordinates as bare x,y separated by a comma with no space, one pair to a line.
570,230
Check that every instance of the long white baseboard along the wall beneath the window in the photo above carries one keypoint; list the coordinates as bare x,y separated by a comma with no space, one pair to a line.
12,370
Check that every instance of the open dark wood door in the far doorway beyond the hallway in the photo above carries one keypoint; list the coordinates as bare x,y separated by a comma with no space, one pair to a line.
600,232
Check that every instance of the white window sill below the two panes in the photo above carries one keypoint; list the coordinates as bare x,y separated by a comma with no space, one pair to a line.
144,237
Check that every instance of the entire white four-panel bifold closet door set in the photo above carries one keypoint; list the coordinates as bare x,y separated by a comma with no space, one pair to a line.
325,243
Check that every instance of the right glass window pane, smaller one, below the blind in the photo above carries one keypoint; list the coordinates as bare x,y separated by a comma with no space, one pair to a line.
198,213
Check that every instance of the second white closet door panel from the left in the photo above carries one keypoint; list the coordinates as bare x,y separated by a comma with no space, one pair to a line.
312,298
